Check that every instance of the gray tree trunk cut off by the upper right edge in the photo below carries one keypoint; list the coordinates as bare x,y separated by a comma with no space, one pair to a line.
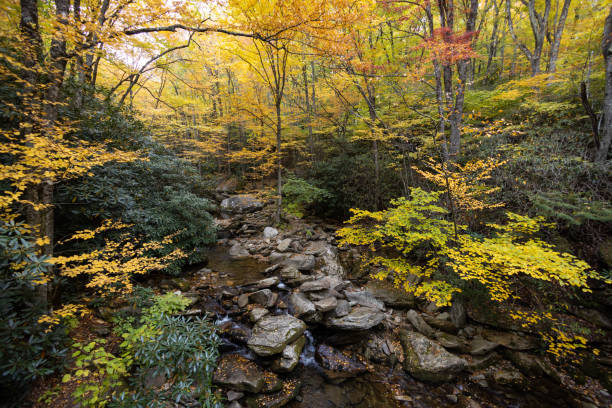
606,48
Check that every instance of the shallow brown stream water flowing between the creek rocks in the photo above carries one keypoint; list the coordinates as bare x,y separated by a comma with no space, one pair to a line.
383,387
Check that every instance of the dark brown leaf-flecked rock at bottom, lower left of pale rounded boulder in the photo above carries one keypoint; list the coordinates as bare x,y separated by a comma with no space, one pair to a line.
237,373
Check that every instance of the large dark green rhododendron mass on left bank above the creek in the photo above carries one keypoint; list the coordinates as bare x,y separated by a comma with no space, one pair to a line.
161,196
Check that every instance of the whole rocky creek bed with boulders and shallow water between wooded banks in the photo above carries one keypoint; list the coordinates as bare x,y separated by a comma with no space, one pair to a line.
298,332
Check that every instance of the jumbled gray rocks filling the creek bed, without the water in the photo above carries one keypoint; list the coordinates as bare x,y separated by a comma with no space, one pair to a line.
307,289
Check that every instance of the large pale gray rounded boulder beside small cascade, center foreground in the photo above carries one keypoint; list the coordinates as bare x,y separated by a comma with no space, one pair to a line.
272,334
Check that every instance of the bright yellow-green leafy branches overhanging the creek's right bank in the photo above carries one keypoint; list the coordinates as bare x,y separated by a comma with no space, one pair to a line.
414,246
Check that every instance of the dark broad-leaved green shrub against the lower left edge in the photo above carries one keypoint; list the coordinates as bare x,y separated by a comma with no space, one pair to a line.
28,352
